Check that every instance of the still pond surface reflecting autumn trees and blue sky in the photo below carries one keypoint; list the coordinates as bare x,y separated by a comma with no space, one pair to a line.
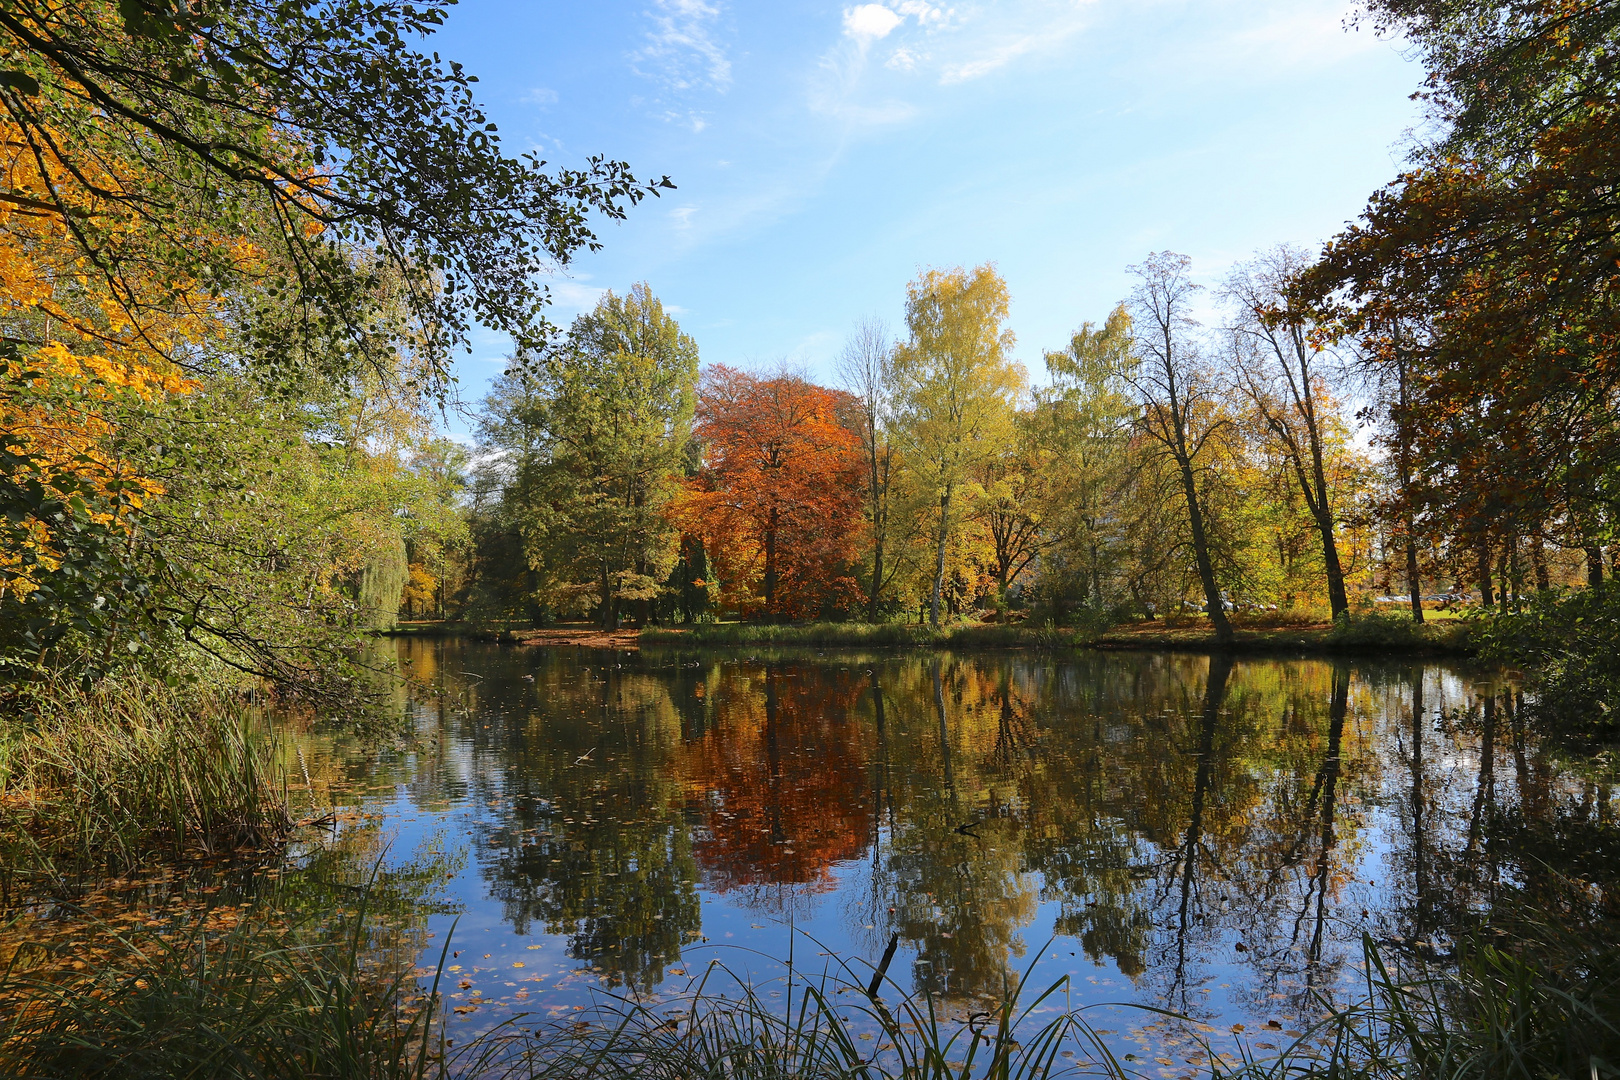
1190,833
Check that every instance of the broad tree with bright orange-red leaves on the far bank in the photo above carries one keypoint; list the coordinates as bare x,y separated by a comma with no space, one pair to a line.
778,498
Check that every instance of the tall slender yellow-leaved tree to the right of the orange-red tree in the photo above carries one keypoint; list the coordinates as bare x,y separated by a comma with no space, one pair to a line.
955,391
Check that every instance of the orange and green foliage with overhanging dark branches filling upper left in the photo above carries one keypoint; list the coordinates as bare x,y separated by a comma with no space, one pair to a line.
283,195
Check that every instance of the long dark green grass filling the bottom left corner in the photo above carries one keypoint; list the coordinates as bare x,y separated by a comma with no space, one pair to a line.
252,1003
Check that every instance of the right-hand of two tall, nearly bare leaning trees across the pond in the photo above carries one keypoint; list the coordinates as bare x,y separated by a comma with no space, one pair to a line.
1284,372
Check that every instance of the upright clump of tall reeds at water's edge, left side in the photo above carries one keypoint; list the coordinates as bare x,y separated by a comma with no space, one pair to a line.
103,780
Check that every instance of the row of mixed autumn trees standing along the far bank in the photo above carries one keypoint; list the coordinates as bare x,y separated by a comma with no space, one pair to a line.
1263,462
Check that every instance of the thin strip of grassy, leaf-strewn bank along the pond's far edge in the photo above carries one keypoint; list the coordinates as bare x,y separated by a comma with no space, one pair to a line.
1360,637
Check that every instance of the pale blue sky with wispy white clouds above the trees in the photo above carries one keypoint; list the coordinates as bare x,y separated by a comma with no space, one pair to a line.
829,151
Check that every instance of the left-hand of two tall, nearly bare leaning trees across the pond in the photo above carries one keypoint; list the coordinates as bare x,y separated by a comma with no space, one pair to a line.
1177,394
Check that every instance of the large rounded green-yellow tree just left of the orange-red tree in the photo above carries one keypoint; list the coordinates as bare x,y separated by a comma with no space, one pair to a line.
594,441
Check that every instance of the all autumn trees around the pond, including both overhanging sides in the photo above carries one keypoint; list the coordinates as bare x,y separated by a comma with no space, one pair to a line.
241,245
